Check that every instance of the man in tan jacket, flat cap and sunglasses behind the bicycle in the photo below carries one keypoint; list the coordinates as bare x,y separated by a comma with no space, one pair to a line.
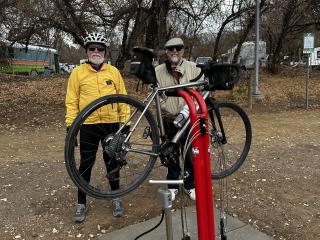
176,70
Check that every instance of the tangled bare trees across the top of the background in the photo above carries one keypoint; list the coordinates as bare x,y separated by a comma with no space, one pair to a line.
151,22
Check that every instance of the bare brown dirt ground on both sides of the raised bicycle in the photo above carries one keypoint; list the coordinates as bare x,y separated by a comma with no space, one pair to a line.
276,190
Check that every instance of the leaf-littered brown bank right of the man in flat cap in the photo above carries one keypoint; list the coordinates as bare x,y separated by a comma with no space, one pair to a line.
280,92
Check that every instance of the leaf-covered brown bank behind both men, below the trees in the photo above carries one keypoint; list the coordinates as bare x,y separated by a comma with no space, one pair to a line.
34,98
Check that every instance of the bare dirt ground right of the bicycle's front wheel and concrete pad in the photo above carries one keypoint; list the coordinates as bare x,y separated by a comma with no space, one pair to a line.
278,187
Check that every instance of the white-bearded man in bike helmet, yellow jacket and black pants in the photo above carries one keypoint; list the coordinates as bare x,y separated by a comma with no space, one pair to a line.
86,83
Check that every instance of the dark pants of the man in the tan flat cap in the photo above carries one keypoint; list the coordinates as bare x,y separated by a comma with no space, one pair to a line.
172,174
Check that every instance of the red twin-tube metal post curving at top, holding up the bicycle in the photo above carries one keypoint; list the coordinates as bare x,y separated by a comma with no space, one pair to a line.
202,169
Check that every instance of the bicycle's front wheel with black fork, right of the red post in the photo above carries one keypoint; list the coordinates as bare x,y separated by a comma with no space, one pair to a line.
230,137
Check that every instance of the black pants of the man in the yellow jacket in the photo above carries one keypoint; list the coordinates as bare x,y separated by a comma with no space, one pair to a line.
90,137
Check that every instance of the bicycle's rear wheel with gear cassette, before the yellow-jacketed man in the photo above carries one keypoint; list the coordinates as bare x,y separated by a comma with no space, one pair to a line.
132,153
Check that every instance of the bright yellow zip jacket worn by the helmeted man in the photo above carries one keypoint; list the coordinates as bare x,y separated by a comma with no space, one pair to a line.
85,85
